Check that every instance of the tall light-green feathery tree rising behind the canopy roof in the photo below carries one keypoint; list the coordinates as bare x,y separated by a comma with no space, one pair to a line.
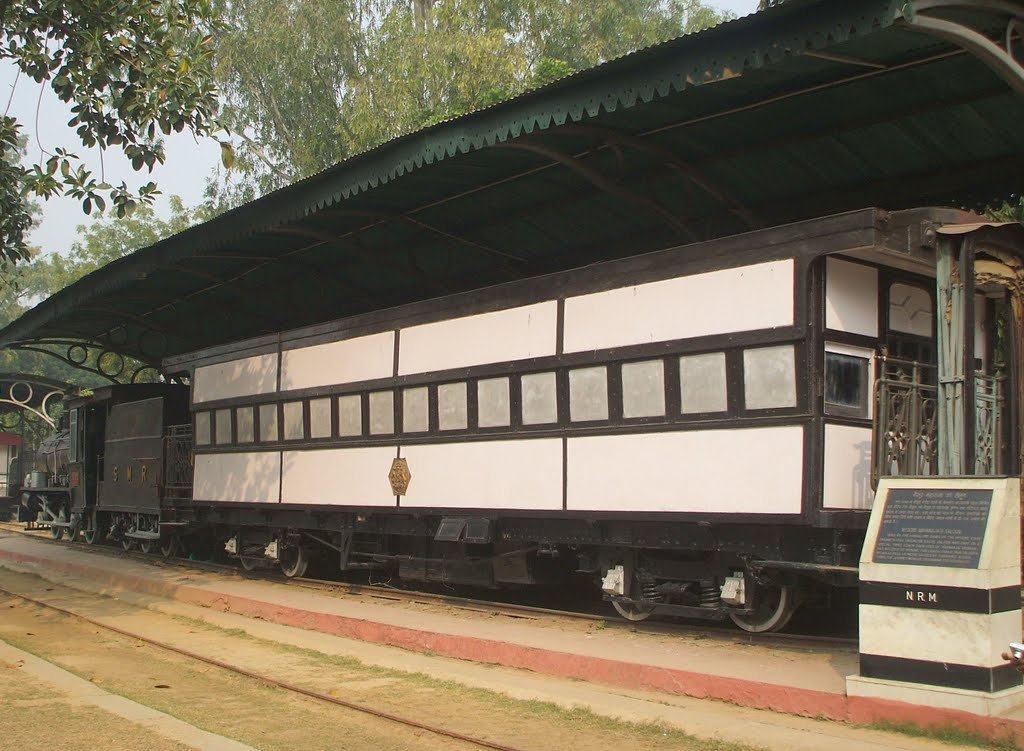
308,84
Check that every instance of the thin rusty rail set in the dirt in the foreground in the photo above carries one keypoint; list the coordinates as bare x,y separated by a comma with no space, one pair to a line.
268,680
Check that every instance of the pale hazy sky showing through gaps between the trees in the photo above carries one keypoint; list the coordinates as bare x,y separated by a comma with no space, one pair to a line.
185,174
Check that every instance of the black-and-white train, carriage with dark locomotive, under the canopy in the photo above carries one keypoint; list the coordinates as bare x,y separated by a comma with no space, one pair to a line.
696,431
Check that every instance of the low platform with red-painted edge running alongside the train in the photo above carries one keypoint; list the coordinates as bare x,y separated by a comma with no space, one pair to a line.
796,681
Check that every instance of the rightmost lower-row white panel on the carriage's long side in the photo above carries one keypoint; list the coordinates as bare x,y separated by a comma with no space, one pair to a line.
714,472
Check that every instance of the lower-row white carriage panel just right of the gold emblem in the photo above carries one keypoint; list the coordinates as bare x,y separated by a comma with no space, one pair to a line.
487,475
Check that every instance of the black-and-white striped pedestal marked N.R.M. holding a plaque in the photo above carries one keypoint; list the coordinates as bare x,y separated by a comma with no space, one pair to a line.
941,595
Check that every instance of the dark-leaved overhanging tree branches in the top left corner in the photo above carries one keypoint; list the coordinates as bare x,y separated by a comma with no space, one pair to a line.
132,70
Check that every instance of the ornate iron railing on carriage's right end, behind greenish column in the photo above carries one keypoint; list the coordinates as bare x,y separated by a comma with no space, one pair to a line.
906,441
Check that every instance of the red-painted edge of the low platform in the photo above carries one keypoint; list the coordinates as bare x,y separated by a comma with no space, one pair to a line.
747,693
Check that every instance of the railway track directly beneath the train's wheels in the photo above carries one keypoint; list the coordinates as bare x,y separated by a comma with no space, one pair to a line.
484,607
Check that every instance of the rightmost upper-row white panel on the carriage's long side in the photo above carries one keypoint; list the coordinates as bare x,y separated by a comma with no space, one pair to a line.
682,308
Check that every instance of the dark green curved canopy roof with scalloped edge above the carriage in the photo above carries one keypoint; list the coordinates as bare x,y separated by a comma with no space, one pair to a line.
810,108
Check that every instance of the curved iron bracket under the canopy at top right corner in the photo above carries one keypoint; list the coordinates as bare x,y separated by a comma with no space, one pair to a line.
999,54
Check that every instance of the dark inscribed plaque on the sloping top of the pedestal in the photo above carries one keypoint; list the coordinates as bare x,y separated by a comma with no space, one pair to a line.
933,527
